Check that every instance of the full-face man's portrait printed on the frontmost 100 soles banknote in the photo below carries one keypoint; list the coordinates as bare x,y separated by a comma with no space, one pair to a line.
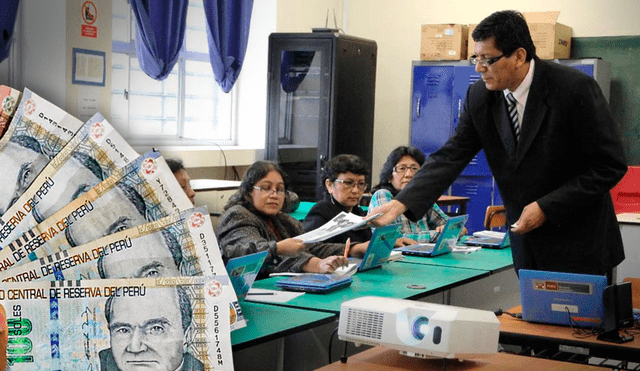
146,335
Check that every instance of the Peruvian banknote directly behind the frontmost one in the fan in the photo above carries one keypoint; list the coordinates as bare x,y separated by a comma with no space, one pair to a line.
181,244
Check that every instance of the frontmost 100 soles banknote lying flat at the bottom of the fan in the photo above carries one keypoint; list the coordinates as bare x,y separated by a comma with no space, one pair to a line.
164,323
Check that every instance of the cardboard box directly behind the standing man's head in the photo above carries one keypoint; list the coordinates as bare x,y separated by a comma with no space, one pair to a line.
552,39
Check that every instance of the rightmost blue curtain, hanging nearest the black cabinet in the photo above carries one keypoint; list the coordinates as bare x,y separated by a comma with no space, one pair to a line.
227,32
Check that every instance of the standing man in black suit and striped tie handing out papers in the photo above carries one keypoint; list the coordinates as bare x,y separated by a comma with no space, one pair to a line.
556,177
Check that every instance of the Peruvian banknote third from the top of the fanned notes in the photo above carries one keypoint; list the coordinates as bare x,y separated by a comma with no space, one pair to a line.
92,155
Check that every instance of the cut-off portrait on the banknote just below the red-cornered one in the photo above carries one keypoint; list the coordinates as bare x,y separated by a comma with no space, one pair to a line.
22,159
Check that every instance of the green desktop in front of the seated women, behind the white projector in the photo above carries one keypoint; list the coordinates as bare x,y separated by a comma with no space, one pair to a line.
392,280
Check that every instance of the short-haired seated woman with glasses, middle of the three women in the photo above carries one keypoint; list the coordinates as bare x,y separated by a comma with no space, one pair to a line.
344,184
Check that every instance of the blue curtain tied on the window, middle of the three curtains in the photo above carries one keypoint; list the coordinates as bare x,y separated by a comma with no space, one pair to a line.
159,34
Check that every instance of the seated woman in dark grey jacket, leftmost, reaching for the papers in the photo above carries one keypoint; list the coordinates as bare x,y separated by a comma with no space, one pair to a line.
253,221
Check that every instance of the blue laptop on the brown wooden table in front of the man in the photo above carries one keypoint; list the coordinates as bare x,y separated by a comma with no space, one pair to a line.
562,298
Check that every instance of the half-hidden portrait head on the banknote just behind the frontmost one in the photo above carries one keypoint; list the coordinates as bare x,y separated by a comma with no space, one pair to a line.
153,255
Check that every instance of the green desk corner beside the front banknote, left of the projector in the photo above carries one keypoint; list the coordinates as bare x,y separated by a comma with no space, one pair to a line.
266,322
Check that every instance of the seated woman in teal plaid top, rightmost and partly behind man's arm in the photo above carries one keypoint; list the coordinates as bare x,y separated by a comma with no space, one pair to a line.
400,166
